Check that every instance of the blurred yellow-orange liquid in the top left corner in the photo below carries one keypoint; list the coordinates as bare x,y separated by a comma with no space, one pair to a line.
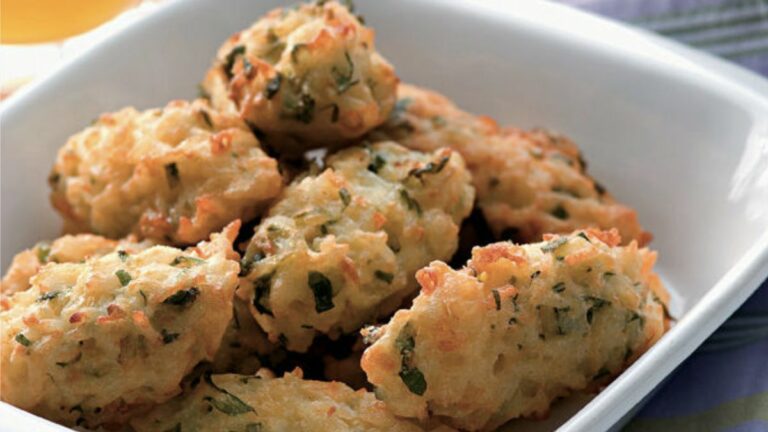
32,21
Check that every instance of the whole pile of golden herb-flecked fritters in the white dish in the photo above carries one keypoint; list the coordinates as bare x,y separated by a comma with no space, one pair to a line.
312,245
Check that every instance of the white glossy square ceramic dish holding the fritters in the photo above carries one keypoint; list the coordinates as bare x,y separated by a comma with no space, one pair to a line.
678,135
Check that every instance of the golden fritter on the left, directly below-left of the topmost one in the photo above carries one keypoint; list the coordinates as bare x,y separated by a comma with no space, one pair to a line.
173,175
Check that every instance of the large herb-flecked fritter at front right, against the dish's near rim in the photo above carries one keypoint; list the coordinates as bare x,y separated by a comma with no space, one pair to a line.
517,328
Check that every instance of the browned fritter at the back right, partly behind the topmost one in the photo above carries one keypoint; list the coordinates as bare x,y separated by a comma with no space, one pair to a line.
528,182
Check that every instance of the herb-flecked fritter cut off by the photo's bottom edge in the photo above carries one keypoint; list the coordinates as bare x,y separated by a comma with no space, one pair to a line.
262,403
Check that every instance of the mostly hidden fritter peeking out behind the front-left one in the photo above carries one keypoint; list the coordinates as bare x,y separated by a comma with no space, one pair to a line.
69,248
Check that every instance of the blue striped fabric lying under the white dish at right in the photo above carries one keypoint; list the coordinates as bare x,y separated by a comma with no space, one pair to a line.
723,386
